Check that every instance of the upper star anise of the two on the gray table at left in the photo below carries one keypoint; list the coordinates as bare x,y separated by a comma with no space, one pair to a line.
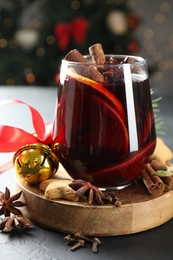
9,204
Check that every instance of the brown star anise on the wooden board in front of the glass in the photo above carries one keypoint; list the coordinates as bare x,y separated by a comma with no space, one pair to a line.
91,192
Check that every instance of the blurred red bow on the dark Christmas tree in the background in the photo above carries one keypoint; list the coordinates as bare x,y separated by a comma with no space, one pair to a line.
77,30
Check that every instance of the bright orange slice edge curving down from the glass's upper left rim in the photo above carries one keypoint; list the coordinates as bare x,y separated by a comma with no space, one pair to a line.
99,87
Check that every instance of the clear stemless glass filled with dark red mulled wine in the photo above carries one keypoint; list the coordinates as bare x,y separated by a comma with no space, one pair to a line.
106,129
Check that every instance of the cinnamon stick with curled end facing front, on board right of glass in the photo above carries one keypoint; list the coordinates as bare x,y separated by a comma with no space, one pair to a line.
153,183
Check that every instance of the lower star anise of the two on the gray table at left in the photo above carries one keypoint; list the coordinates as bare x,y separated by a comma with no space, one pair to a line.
15,221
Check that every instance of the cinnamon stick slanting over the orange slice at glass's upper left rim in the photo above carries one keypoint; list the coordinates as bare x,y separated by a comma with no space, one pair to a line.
87,71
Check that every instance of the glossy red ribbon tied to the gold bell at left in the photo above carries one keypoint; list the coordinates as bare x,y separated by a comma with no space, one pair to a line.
13,138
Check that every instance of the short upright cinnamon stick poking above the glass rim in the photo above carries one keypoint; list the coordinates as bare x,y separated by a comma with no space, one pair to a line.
97,53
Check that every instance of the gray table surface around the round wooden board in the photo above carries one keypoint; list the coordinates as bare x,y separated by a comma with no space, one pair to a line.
39,243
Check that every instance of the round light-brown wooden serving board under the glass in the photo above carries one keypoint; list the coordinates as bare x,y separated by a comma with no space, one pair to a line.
140,211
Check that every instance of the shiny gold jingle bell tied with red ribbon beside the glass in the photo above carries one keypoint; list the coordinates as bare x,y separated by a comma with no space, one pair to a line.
35,163
